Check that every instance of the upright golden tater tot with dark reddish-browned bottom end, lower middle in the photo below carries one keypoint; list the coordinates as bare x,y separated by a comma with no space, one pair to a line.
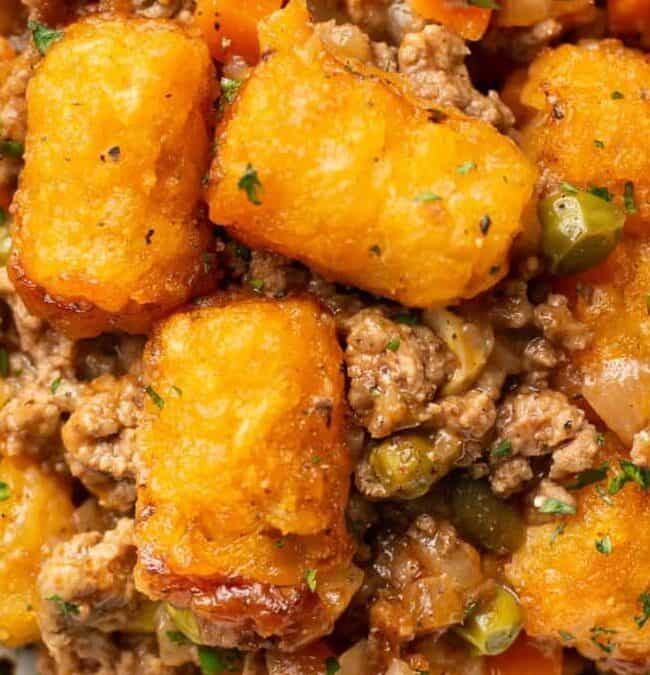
241,516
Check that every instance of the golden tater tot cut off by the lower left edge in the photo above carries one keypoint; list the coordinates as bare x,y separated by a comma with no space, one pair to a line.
35,509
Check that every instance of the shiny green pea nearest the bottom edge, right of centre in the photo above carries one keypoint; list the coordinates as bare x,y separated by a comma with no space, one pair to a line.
494,624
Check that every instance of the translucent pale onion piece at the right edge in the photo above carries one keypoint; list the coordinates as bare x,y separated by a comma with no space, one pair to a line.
619,391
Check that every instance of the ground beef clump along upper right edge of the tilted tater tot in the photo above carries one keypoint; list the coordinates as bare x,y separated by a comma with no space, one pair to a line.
433,62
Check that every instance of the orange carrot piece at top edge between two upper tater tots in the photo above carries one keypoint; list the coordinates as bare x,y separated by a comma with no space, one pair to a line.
230,26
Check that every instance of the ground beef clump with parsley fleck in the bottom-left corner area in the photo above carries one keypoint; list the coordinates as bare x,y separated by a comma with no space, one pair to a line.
88,595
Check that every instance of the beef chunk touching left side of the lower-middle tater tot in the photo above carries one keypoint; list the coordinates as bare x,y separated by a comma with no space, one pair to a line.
99,440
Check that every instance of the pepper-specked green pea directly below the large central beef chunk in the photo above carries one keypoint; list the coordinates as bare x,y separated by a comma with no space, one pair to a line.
408,464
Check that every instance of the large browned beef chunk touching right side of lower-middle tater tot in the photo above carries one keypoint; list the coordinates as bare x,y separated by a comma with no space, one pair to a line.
395,371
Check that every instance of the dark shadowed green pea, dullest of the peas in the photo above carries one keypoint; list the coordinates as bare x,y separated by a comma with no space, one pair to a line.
482,518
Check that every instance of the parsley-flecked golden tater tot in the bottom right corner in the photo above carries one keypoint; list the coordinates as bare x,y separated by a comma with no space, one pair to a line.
588,598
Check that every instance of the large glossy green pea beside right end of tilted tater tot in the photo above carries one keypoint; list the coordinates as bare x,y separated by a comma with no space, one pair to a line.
579,230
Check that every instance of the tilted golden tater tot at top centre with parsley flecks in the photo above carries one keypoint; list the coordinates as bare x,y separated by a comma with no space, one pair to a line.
330,163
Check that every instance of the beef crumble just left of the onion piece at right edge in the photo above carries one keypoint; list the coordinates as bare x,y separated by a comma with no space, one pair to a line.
536,422
